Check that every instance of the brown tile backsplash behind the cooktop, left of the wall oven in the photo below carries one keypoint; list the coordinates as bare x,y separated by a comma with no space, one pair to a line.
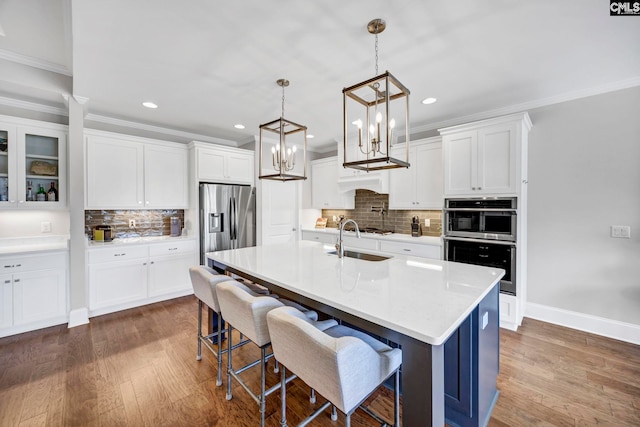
397,221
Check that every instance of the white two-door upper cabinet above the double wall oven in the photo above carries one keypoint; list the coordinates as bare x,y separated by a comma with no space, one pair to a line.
486,157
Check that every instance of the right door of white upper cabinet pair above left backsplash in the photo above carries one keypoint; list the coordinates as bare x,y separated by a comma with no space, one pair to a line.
165,177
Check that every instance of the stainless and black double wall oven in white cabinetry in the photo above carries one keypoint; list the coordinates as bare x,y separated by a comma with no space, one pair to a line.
482,231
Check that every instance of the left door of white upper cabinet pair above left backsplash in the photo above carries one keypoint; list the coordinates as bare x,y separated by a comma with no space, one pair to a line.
115,173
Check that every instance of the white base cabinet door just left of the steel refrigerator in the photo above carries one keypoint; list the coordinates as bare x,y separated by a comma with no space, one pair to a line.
169,274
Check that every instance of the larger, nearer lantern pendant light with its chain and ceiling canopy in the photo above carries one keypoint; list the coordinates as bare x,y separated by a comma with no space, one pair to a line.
376,111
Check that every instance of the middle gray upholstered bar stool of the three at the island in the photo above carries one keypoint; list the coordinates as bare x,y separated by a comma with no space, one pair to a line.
248,314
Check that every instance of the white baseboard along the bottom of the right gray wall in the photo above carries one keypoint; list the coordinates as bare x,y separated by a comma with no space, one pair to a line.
585,322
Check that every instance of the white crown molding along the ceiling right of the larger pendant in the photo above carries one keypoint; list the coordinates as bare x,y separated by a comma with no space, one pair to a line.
543,102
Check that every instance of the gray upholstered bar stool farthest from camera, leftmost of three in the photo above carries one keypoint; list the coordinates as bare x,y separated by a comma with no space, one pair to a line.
204,281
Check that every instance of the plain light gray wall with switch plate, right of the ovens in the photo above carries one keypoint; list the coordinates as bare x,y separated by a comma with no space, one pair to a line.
584,176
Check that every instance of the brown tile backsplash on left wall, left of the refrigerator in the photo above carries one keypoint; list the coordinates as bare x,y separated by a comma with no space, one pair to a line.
148,222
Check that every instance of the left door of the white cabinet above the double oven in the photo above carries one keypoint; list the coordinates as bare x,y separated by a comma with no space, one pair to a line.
460,163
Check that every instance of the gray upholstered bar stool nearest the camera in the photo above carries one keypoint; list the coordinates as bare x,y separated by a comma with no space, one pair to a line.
342,364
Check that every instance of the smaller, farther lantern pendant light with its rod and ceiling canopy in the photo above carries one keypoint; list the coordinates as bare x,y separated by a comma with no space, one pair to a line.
280,154
